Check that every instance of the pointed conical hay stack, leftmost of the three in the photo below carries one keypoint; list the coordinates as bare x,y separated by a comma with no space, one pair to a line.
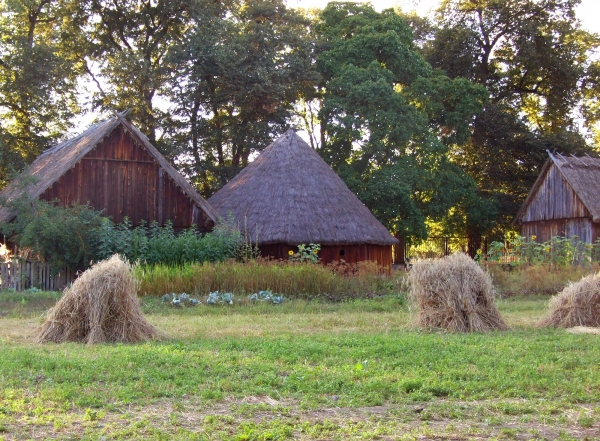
101,306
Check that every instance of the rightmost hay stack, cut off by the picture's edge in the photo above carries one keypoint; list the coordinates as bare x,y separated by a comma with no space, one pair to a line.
576,305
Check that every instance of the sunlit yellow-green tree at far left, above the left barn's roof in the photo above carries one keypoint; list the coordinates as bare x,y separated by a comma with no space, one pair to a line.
37,80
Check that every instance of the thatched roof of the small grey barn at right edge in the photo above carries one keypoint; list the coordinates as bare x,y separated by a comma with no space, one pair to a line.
581,173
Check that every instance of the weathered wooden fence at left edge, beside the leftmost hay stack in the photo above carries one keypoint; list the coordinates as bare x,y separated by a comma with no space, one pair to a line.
24,274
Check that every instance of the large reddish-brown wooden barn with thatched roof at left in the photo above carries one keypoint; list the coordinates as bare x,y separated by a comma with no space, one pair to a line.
113,167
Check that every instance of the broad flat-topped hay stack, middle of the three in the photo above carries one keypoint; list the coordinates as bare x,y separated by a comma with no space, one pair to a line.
455,294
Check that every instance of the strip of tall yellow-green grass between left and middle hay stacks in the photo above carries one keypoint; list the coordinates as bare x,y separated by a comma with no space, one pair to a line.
292,279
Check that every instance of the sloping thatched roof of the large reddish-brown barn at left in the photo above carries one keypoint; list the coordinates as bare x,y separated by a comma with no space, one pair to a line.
57,160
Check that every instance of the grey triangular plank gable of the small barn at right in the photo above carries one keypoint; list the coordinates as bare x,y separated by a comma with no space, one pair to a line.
554,199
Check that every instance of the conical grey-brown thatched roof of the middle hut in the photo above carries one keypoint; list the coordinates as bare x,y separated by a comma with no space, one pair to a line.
289,195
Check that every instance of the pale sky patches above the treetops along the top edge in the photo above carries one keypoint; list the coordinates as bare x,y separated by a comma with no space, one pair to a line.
588,11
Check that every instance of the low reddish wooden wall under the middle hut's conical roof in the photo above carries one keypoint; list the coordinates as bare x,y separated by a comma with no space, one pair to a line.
329,253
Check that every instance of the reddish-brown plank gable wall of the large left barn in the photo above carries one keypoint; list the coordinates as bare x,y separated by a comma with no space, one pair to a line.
121,178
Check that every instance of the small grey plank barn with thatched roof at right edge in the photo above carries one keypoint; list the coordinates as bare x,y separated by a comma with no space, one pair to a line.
564,201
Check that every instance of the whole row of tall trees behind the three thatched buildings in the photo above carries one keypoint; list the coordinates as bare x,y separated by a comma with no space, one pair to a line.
441,120
